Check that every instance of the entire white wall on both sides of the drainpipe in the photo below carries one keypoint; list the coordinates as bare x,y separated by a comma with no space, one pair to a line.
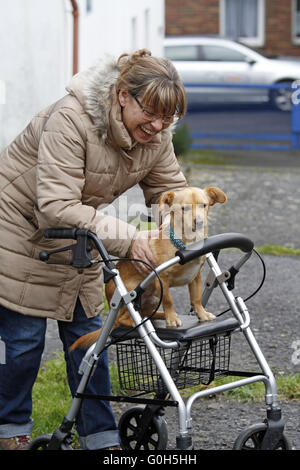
36,48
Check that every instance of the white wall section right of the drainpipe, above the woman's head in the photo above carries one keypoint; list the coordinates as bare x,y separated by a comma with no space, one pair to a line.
116,26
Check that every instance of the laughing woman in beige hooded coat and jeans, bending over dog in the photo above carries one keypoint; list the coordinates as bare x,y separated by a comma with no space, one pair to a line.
108,133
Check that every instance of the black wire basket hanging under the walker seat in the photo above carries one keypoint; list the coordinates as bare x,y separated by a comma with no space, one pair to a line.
194,363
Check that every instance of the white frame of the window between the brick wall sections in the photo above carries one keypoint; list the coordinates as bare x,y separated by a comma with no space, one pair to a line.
257,41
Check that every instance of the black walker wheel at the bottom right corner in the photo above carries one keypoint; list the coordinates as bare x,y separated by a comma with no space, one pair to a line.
251,439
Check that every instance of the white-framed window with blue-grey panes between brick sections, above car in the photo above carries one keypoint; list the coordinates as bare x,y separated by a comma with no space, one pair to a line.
243,20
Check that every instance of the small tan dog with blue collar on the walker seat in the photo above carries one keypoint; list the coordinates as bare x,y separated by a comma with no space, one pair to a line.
184,214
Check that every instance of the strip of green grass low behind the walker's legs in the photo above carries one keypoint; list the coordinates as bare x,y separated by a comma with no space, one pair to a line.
51,395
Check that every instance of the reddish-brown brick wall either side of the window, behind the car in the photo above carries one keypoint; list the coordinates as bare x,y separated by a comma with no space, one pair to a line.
187,17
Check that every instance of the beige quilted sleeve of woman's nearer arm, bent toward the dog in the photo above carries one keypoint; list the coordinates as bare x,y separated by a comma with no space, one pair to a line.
60,183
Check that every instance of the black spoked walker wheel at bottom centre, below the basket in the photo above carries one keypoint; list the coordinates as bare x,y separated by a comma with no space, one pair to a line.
155,436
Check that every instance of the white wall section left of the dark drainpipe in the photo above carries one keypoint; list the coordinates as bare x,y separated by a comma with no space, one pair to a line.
33,63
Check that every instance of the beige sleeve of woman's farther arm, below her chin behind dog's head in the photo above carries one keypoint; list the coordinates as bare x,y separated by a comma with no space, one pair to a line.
165,175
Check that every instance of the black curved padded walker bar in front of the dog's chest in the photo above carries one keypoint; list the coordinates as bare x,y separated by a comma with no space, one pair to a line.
214,243
